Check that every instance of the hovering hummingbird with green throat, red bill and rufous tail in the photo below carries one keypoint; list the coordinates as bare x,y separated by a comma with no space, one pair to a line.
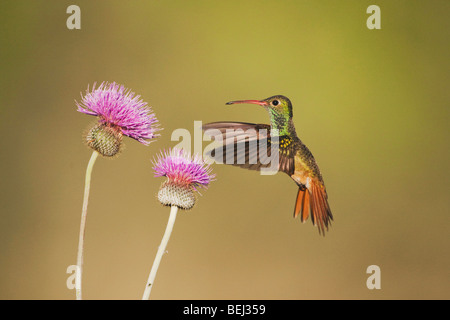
294,159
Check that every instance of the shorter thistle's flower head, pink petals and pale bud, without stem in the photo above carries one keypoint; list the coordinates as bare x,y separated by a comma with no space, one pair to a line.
184,174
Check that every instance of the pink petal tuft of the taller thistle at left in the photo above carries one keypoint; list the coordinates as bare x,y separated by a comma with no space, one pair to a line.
121,110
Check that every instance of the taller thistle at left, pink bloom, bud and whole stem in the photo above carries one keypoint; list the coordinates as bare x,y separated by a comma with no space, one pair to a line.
119,112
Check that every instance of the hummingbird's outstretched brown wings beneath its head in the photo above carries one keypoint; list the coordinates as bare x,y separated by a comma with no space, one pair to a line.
250,145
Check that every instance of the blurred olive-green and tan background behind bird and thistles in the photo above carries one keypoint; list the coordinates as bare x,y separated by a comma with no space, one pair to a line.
372,105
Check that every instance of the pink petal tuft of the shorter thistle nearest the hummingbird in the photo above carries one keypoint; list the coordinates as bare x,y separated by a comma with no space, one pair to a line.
179,167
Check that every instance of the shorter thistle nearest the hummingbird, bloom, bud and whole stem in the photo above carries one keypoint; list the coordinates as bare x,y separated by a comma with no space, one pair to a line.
185,174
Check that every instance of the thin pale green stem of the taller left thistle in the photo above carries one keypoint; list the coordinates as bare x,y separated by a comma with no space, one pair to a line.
87,184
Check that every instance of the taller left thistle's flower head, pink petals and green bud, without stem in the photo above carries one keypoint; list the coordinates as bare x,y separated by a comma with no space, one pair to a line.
119,113
